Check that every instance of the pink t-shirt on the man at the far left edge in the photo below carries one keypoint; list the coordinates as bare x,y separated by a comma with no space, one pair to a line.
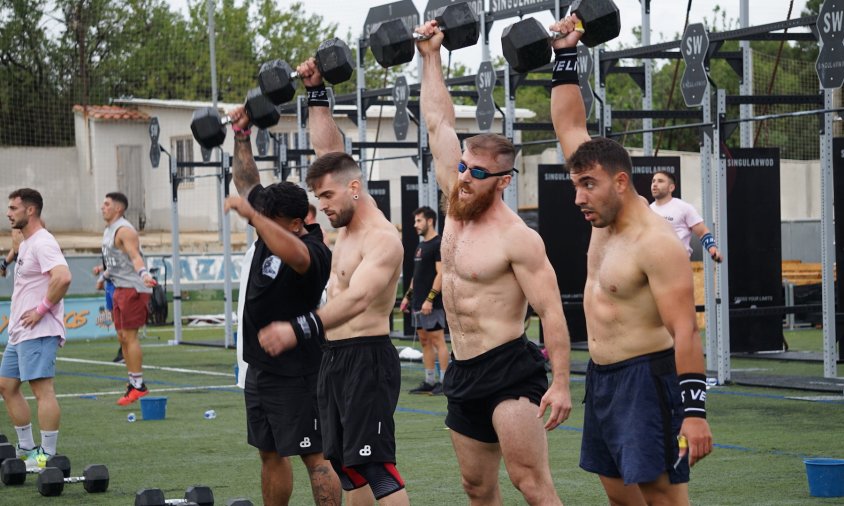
38,254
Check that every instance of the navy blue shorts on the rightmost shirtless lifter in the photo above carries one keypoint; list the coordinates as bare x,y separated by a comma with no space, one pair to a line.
633,416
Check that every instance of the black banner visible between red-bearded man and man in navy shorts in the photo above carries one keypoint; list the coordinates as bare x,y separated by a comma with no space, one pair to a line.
566,234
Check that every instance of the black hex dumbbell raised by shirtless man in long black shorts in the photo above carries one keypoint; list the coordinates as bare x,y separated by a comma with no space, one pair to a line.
277,78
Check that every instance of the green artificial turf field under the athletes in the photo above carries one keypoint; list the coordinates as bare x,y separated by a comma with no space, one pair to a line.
761,435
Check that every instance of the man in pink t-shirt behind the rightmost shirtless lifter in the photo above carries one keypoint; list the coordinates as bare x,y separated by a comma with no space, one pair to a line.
681,215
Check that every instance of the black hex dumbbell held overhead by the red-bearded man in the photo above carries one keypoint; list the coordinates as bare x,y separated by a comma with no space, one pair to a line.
392,42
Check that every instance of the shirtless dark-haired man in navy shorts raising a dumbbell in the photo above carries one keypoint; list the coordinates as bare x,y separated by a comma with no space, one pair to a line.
640,317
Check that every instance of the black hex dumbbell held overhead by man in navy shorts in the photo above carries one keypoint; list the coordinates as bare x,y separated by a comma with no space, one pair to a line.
526,44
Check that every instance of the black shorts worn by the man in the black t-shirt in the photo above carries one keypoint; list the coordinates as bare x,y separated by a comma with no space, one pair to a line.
281,413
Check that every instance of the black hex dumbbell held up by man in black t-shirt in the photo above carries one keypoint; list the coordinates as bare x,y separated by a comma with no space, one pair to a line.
209,128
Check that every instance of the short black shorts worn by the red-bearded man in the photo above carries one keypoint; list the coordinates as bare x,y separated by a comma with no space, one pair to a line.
476,386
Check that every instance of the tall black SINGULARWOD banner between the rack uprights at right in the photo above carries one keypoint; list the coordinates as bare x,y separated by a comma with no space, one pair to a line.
755,247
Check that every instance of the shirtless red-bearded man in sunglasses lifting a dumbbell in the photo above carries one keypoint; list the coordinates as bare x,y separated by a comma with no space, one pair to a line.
493,266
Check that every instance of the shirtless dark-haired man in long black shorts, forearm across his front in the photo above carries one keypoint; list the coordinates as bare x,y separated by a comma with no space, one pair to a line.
360,376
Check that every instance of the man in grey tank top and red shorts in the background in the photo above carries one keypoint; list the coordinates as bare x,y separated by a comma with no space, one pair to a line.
125,267
